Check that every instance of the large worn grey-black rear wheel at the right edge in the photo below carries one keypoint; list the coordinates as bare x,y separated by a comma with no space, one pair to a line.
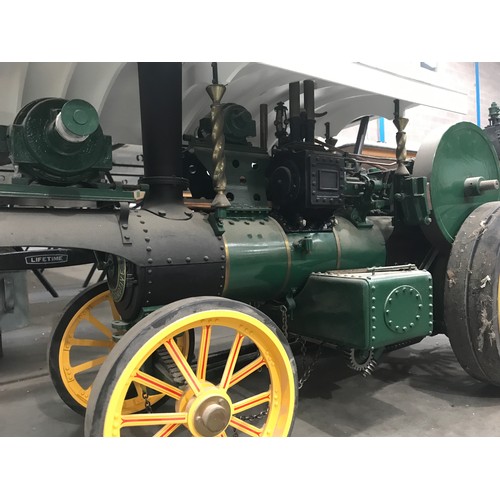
472,294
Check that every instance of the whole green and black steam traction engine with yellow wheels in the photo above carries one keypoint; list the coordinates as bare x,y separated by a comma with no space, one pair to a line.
190,333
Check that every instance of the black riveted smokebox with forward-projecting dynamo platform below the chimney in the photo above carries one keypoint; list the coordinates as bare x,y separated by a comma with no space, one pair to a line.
164,255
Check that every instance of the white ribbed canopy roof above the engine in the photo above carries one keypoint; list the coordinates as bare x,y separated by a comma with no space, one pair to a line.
345,91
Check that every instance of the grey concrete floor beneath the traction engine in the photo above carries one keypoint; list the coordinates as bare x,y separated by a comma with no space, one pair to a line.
417,391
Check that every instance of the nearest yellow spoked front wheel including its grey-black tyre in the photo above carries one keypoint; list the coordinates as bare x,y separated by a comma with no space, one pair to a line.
244,381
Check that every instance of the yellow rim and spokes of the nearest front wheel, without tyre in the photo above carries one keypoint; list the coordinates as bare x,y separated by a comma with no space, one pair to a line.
192,401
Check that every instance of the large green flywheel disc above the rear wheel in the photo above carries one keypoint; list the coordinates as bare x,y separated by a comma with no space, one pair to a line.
447,159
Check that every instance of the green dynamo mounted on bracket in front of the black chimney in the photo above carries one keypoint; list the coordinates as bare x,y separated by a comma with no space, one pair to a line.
60,152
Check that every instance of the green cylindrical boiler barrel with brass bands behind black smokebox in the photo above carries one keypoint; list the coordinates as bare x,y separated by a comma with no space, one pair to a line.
263,262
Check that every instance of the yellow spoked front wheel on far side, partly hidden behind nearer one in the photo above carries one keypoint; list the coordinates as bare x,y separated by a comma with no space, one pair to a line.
79,344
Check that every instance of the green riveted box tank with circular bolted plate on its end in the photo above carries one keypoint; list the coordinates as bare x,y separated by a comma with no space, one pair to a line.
365,310
